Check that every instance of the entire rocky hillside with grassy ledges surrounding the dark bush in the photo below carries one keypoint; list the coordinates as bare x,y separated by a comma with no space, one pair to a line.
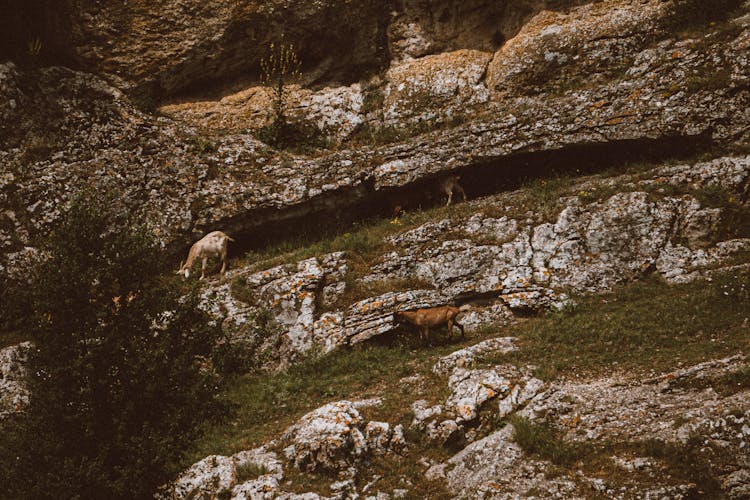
602,260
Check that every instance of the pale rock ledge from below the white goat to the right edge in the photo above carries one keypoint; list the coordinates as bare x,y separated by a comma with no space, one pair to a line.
512,264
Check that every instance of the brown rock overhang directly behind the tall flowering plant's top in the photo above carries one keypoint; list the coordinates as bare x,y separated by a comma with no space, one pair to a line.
160,51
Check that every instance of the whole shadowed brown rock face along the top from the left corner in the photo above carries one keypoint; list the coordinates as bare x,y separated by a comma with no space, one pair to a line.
157,50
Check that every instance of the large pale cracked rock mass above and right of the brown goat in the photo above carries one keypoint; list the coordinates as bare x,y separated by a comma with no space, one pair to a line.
590,247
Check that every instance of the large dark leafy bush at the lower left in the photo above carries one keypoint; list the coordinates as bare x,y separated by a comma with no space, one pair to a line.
116,392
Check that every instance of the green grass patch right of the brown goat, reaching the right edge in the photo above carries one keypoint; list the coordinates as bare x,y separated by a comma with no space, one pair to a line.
645,326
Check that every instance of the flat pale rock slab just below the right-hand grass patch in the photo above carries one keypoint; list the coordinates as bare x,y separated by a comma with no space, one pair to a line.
608,408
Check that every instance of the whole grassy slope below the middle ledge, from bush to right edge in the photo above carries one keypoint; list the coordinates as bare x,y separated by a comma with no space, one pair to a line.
640,329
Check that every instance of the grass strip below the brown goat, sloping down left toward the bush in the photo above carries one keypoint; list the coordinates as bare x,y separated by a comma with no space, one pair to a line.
266,403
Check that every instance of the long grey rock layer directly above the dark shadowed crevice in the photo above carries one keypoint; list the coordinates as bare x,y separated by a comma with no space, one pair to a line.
233,183
